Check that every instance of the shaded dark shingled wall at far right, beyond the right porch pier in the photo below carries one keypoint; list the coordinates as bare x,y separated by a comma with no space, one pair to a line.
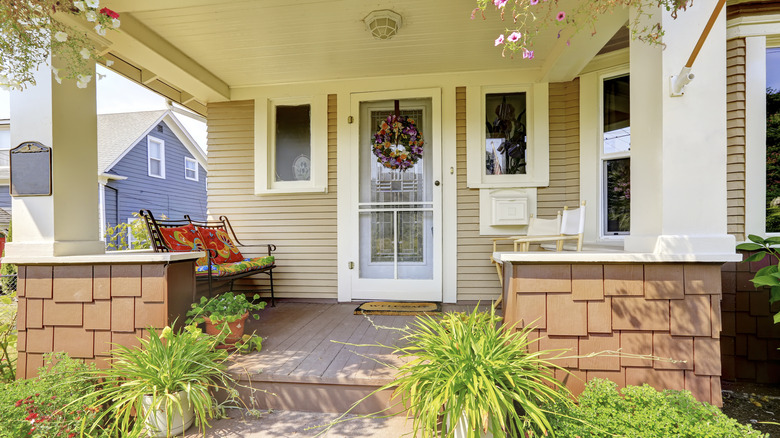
750,339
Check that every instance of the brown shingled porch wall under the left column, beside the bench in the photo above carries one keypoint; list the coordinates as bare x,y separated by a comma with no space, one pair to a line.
82,309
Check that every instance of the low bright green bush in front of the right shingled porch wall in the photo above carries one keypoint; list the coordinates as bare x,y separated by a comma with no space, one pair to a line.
643,412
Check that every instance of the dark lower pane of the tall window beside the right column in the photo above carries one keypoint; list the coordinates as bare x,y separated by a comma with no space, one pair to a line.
618,195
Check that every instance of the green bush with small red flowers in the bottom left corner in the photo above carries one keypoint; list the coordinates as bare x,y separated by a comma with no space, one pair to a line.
54,404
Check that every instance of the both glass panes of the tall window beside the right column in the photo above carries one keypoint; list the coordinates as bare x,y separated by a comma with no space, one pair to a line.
615,156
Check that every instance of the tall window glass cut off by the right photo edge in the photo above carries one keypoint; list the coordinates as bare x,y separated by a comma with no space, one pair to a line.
773,140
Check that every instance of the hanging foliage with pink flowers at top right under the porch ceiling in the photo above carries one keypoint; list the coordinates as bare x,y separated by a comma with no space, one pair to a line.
527,18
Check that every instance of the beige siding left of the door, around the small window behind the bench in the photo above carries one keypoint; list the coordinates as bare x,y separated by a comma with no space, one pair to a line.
302,226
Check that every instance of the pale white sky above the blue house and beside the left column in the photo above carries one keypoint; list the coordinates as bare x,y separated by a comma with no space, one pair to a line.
117,94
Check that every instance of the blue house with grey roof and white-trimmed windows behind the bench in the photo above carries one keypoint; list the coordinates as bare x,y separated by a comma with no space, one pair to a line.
148,160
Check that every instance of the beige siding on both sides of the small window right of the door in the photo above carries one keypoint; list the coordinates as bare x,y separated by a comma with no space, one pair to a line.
477,279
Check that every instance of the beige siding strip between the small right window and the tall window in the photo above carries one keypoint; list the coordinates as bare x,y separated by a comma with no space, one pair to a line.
564,186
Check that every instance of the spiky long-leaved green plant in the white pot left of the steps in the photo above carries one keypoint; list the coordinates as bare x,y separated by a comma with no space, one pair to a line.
166,363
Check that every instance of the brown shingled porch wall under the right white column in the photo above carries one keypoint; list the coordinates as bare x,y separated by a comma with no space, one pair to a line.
668,310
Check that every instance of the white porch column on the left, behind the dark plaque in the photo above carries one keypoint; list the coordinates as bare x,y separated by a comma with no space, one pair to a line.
63,117
